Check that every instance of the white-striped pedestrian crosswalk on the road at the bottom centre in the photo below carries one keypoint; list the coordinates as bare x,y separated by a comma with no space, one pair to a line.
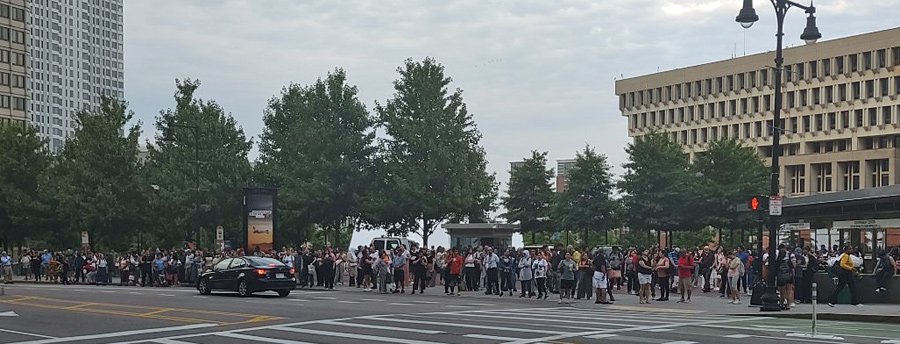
483,326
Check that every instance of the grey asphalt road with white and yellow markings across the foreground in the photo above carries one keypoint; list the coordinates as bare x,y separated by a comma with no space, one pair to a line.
87,314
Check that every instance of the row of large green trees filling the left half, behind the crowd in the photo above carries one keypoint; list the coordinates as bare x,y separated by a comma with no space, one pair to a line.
319,147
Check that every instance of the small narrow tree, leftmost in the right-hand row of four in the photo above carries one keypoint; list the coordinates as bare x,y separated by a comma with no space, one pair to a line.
529,195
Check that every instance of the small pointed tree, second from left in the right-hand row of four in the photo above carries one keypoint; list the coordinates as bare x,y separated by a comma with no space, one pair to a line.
587,204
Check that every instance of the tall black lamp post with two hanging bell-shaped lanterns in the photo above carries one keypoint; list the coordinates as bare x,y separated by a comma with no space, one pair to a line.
746,17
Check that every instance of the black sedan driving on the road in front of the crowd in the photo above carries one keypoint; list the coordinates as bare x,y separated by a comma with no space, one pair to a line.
247,275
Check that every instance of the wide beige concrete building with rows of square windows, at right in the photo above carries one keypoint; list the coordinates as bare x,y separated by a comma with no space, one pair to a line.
840,118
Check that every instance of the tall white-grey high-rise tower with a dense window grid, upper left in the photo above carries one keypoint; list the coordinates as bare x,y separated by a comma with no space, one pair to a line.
75,56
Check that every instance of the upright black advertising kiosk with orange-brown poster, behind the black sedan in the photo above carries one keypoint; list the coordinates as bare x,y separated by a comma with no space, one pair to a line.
259,219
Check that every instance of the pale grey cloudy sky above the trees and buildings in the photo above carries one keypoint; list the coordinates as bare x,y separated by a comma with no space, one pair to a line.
535,74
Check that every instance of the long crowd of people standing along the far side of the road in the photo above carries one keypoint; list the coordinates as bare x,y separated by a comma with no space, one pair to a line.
532,273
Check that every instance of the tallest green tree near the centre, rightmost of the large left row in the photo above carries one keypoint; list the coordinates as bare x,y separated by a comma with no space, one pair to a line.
433,167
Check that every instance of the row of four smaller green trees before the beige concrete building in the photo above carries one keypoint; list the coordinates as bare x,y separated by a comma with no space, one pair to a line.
661,190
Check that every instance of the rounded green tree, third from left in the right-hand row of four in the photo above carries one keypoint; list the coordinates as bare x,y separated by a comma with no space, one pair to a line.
656,185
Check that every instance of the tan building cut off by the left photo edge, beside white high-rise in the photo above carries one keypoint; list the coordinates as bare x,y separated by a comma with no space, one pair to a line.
13,89
